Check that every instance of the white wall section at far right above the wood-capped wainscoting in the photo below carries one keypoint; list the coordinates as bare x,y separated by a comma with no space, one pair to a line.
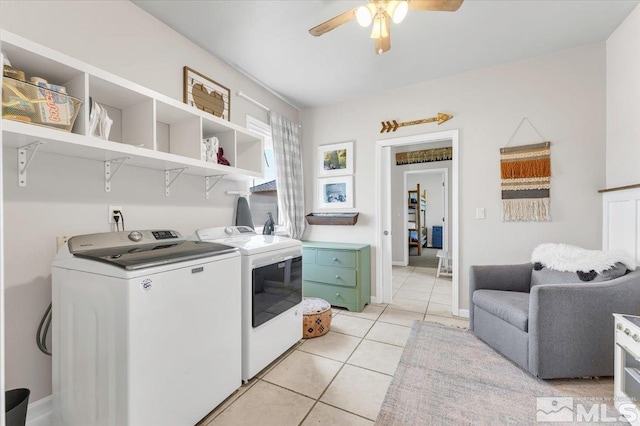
623,103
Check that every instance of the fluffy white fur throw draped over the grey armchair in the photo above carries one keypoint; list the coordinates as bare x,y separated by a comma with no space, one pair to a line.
567,258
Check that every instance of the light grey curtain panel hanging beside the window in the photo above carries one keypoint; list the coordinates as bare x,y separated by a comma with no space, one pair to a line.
289,182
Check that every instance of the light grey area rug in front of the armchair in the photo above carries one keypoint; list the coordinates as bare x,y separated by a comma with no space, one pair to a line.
447,376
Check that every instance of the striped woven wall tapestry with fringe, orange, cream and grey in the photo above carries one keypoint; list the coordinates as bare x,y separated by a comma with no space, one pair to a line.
526,181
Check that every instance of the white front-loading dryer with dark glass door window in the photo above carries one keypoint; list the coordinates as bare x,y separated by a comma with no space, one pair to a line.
271,293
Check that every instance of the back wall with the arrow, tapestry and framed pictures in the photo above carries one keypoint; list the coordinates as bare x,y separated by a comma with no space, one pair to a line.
562,94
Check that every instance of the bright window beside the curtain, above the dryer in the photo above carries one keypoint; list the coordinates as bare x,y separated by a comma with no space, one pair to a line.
264,195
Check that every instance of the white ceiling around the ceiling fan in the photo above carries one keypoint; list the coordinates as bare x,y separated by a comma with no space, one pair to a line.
269,40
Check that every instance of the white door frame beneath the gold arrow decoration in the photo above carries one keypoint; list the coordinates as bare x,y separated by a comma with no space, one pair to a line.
384,287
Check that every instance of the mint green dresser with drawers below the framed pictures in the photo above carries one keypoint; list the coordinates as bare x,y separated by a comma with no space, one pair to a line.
339,273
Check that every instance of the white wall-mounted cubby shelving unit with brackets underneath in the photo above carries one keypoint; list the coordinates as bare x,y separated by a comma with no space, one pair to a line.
149,129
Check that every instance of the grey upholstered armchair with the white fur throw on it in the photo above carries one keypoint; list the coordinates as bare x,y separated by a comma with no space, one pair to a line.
550,330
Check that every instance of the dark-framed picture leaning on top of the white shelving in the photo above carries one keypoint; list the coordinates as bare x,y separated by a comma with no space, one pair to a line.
206,94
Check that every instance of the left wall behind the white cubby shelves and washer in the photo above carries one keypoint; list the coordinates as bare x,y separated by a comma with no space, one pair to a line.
66,195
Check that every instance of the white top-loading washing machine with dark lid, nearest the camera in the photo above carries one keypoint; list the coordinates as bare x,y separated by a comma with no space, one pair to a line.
146,329
